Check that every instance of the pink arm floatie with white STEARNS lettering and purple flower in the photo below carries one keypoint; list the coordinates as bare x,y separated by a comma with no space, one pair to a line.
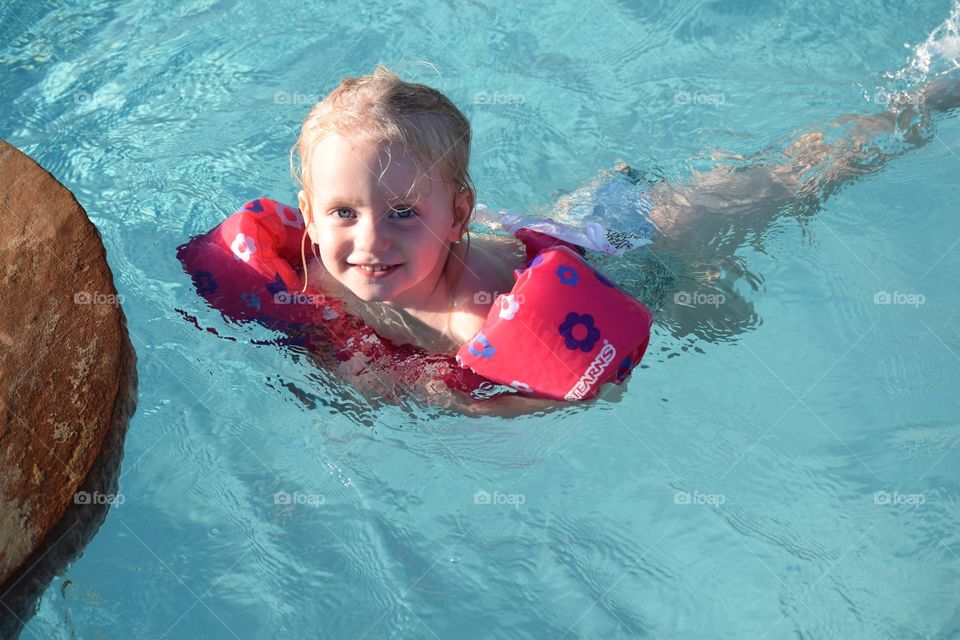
562,332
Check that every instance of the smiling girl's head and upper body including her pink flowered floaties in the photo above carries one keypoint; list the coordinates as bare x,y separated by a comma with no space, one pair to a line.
395,287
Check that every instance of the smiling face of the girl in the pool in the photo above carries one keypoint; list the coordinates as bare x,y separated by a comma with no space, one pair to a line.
369,209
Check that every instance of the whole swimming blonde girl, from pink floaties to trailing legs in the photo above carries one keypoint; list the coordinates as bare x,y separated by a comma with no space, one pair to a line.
386,201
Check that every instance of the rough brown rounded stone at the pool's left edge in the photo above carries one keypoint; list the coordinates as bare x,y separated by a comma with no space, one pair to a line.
67,368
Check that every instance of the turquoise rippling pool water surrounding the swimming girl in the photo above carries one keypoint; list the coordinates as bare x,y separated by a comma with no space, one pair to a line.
793,474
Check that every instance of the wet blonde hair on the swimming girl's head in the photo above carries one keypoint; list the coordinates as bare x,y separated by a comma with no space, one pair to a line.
383,108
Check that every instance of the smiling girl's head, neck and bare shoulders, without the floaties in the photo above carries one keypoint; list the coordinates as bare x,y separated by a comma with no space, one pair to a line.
386,198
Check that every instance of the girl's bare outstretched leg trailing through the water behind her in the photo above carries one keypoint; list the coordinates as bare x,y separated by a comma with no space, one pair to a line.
735,201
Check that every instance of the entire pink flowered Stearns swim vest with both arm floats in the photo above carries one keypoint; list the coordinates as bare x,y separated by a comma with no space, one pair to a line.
562,332
